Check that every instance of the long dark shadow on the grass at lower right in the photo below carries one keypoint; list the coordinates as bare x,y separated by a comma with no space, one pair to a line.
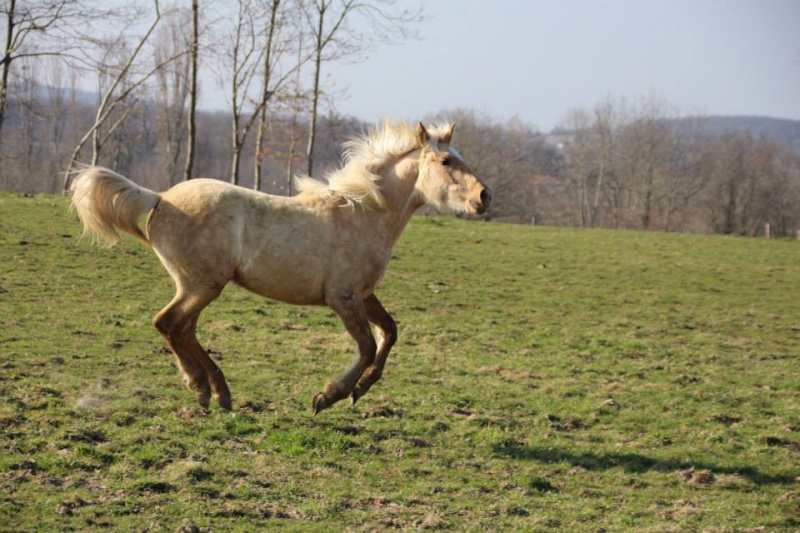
633,462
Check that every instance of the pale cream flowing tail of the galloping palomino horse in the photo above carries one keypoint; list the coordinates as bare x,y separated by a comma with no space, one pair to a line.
107,202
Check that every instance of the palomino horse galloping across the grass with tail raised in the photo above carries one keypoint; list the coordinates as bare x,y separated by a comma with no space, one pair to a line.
328,245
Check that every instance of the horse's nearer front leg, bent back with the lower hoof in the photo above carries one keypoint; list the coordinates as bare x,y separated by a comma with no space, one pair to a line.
353,313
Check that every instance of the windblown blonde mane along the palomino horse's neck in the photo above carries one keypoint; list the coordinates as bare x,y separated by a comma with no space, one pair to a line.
358,182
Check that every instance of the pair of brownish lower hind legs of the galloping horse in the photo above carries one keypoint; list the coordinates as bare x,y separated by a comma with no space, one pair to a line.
177,323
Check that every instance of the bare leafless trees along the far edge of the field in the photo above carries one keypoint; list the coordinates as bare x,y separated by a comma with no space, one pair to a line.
85,83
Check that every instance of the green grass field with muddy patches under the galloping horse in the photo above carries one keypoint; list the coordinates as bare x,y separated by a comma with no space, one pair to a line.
545,380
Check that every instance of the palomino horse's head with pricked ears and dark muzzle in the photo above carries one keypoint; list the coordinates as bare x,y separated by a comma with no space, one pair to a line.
445,181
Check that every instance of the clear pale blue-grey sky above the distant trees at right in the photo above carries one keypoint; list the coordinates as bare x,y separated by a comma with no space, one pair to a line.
538,59
